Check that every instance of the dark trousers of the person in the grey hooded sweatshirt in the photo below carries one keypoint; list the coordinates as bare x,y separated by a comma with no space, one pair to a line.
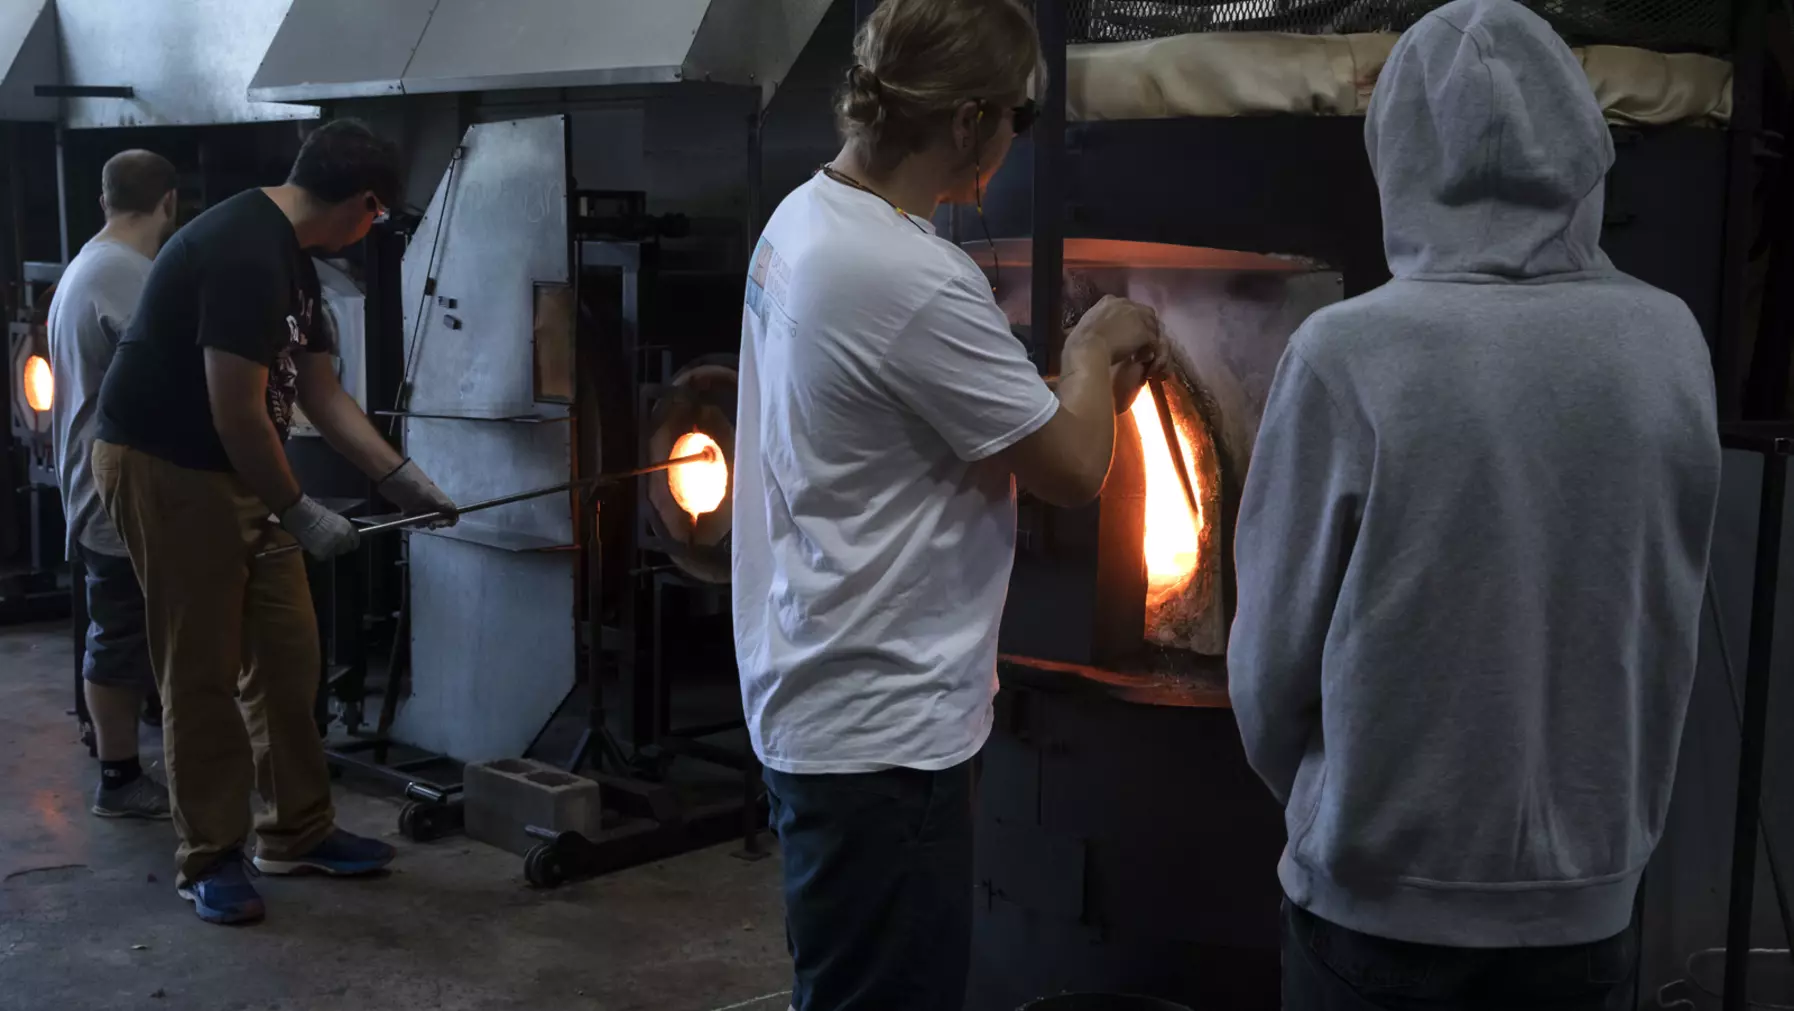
1332,969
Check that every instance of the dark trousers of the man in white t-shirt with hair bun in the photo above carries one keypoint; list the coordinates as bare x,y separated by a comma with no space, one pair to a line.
878,885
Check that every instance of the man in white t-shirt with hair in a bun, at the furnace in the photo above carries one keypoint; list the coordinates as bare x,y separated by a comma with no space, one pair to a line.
885,419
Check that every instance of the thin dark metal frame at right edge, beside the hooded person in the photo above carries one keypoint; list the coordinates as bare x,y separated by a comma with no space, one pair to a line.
1777,449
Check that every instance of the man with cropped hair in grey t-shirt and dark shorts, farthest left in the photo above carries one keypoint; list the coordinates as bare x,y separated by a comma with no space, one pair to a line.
89,315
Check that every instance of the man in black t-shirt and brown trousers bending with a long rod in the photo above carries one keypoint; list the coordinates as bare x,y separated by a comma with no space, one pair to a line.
191,467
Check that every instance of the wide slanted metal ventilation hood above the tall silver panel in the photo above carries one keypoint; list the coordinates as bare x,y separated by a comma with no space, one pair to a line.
351,49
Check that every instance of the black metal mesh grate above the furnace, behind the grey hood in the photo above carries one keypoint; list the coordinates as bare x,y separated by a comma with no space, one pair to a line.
1651,24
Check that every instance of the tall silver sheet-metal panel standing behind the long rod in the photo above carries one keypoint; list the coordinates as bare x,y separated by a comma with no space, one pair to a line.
492,625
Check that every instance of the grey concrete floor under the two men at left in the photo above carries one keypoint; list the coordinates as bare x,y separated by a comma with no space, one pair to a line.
89,917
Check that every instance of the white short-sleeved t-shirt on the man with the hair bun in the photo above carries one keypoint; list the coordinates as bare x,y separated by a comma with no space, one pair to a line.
871,548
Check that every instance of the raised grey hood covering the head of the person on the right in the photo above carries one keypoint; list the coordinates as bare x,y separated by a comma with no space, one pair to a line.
1490,148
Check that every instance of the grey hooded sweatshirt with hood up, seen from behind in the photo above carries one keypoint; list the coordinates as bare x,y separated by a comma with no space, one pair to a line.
1476,530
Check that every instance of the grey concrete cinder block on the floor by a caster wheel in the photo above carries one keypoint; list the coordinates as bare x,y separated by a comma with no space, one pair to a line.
503,799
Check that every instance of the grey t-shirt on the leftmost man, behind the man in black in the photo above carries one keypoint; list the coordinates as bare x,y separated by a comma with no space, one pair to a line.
89,313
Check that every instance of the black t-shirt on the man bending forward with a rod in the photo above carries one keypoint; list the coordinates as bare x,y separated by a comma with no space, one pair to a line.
236,281
